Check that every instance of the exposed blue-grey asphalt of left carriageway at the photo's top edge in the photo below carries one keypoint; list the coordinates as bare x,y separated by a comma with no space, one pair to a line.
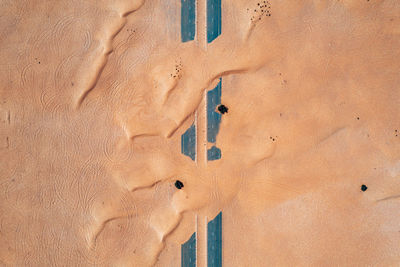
188,20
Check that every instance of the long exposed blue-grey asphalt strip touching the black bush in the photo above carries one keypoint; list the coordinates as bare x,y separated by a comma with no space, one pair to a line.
213,118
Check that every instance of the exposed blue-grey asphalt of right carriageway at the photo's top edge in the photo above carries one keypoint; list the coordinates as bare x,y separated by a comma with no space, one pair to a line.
213,19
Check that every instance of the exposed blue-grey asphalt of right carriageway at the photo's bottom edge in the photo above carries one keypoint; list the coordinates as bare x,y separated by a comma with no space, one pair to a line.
214,242
